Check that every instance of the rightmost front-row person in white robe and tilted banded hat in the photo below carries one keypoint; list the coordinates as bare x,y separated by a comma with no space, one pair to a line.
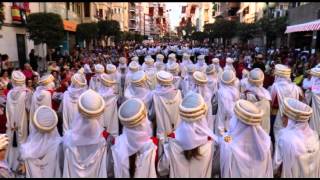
298,148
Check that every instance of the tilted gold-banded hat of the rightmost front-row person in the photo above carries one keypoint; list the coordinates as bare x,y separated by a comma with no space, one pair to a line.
296,110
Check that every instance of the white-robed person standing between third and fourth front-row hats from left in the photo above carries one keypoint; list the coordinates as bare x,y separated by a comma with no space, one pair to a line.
166,100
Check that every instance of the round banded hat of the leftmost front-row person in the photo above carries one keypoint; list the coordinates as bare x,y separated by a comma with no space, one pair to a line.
45,119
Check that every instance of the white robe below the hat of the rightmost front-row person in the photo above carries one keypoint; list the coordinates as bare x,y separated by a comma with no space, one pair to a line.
298,150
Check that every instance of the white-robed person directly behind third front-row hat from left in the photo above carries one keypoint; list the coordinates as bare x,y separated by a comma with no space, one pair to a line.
138,88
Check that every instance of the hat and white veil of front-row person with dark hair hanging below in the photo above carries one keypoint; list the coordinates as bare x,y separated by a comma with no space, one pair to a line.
191,134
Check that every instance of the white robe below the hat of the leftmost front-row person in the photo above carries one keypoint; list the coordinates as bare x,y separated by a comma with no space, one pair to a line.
43,155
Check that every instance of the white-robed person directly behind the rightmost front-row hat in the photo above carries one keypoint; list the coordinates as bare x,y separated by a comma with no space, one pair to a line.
282,87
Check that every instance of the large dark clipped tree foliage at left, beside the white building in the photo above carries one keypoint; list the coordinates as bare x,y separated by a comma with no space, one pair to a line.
45,28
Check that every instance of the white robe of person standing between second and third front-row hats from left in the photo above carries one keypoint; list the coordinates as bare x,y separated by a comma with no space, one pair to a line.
109,119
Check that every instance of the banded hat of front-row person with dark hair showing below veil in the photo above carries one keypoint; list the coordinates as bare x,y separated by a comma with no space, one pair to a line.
192,107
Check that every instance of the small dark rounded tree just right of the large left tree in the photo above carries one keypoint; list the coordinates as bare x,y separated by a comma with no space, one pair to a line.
87,31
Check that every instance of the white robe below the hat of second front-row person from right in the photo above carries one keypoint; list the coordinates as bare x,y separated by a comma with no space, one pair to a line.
248,154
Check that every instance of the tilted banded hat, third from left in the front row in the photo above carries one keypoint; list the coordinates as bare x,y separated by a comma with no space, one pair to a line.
132,113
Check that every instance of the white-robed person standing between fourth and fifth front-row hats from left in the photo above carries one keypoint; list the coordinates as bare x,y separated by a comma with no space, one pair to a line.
227,96
